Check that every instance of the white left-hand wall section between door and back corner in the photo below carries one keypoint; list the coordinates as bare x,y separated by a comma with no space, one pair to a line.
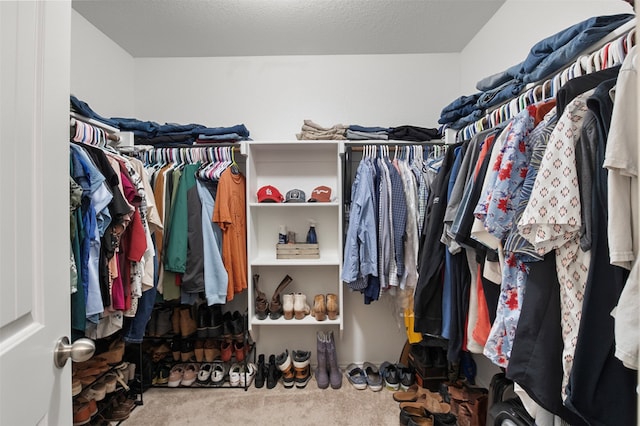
102,73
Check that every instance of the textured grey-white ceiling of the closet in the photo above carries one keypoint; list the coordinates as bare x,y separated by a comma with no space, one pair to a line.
197,28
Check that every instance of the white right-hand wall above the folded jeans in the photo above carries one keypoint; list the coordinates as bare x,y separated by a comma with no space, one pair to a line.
519,24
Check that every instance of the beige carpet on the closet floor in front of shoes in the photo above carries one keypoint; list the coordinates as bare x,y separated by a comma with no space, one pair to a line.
279,406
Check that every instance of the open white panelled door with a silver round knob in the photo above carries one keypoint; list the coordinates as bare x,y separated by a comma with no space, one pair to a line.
34,211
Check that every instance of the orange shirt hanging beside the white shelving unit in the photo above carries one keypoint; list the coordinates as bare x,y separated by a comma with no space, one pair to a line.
229,213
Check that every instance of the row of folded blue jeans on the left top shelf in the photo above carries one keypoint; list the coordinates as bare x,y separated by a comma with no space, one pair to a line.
168,134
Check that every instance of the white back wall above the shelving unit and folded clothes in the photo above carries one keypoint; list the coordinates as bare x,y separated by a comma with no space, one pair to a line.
273,95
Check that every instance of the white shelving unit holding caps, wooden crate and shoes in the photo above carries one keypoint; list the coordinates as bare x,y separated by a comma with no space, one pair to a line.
316,272
